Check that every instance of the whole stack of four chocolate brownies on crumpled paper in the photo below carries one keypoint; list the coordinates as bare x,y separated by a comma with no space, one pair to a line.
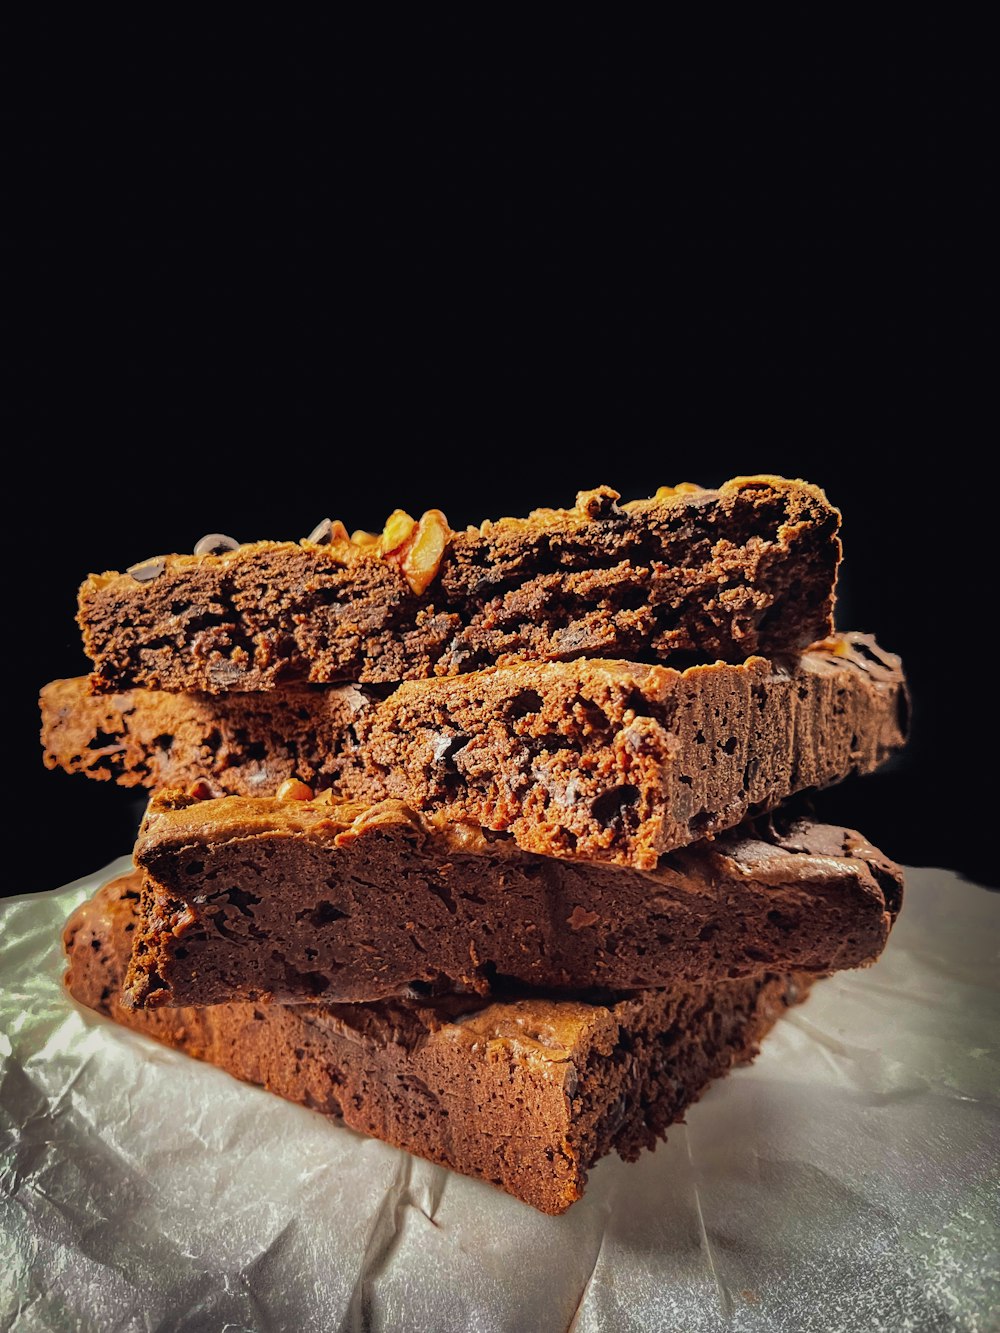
482,840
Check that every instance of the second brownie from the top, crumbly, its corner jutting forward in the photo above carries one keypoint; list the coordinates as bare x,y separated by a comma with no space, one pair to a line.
605,760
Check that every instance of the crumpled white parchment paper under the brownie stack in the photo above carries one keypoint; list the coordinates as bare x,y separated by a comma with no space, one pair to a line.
849,1180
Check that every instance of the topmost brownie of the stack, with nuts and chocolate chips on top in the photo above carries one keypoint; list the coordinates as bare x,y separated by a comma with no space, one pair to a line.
726,574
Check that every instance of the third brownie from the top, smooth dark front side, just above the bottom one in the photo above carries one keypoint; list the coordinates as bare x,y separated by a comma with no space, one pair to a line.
291,900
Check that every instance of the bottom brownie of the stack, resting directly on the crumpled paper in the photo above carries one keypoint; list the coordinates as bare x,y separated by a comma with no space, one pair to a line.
526,1095
